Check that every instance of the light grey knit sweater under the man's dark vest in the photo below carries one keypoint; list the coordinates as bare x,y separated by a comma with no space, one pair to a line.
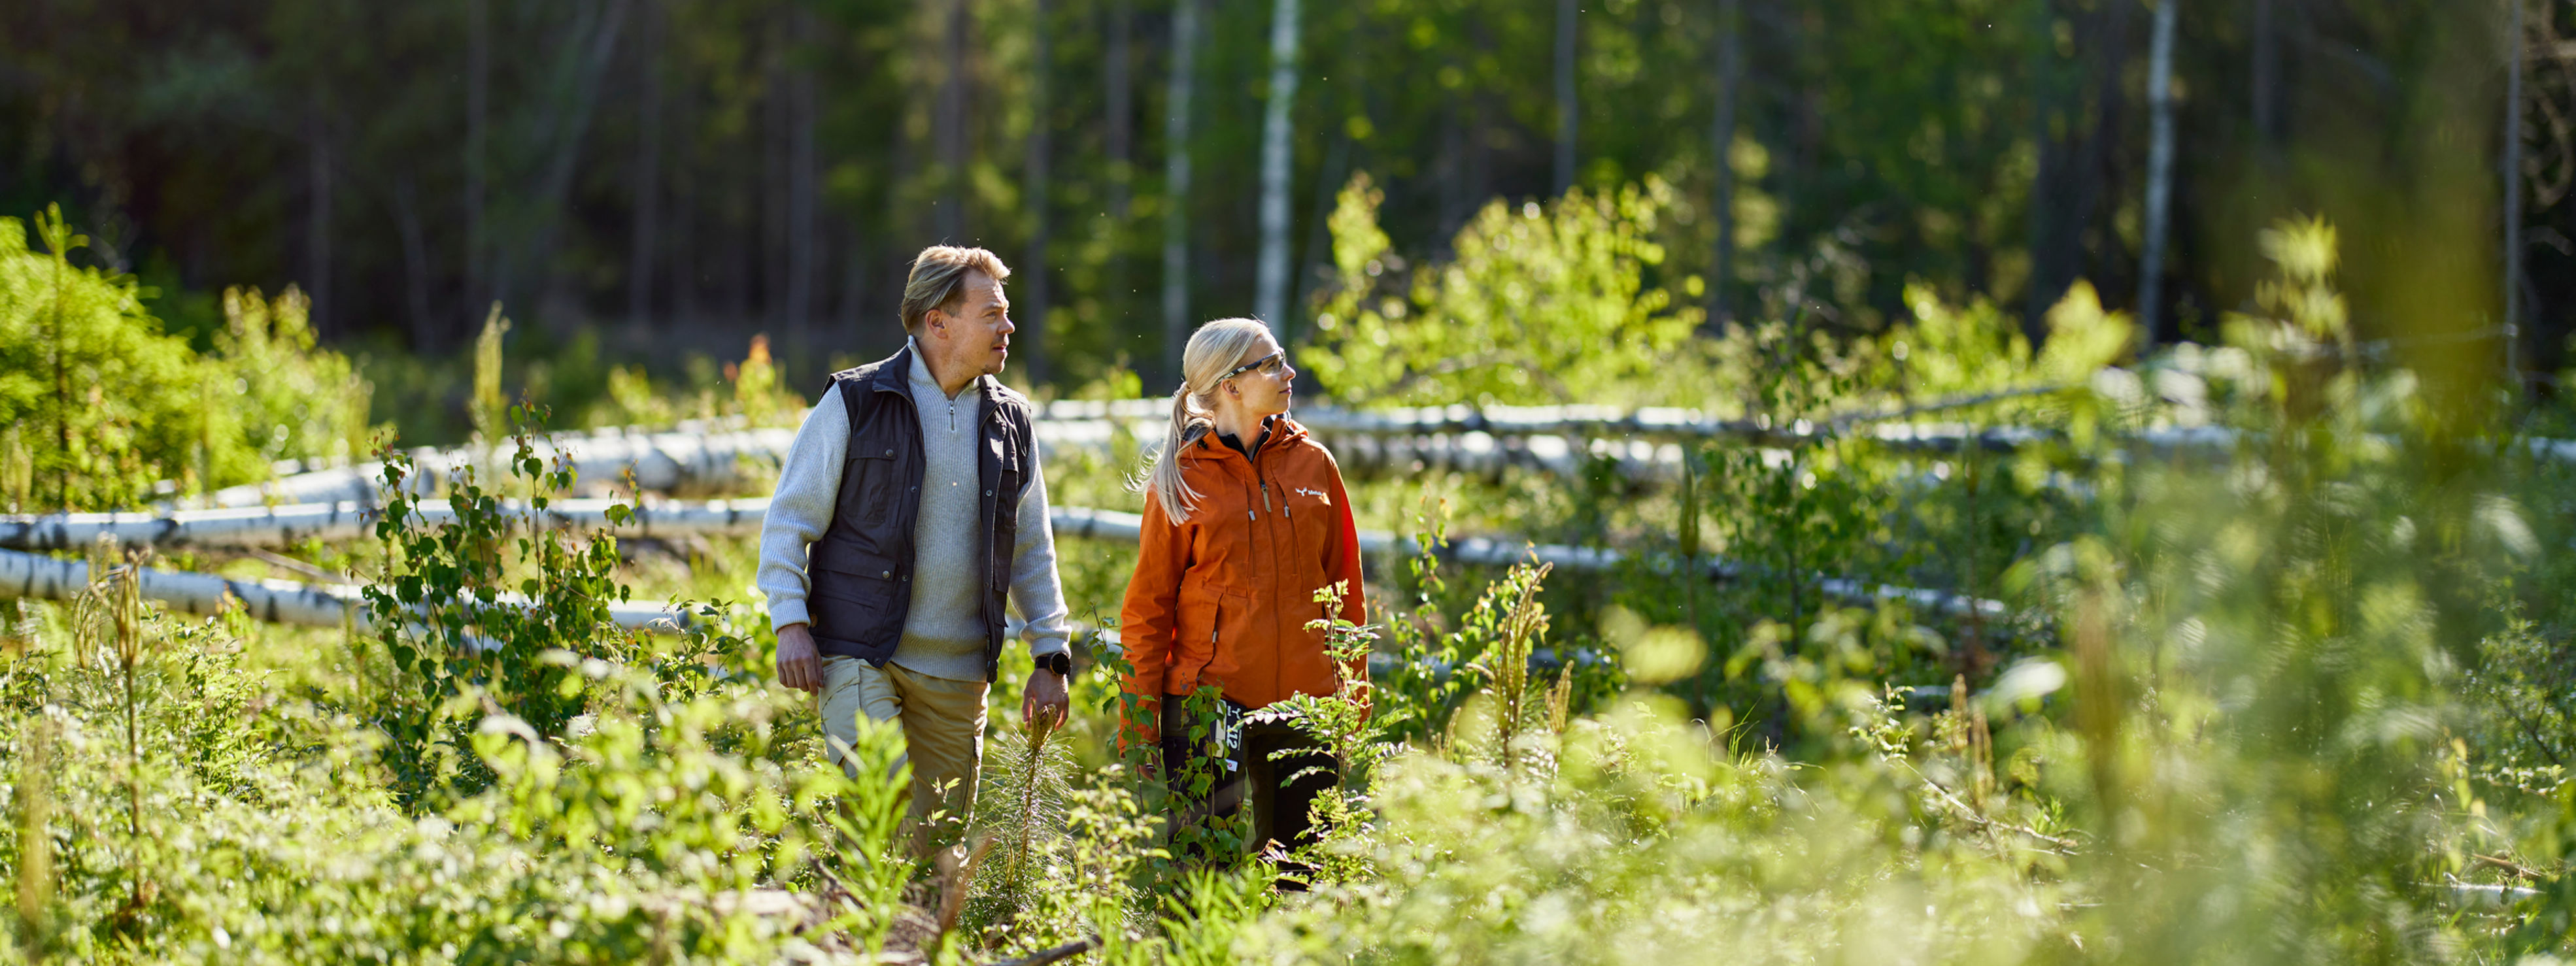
944,632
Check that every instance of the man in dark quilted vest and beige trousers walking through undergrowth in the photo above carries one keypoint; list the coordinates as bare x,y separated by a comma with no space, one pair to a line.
908,509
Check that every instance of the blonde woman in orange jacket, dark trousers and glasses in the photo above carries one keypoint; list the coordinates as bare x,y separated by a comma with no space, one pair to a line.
1245,519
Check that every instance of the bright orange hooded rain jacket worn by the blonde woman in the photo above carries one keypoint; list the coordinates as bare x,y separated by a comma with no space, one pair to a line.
1225,596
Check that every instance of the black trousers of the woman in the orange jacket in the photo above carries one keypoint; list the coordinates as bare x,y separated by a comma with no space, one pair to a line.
1274,766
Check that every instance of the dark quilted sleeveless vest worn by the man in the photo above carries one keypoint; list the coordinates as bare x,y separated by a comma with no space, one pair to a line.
862,568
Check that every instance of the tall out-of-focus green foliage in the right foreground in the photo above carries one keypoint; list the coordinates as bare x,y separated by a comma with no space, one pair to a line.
2268,653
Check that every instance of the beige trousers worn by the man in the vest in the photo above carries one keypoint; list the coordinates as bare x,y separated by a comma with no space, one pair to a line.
944,735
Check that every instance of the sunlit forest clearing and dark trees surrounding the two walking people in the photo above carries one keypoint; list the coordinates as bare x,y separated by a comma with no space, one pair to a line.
1951,573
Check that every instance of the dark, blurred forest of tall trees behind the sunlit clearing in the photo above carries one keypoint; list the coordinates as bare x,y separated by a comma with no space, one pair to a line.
684,174
